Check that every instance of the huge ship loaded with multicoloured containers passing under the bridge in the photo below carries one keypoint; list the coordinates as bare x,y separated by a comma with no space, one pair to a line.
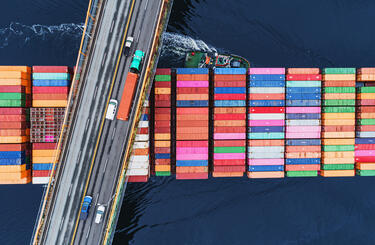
207,122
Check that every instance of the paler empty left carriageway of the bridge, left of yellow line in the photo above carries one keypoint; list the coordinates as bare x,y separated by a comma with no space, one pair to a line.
59,226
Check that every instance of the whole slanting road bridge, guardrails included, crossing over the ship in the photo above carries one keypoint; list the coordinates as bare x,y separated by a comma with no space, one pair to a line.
93,153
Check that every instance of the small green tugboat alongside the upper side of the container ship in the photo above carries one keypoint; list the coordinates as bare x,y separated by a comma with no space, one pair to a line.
197,59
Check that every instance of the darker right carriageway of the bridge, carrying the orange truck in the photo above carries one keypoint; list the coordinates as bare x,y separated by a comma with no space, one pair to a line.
108,161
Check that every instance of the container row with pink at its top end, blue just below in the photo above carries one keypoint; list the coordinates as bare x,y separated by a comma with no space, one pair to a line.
266,125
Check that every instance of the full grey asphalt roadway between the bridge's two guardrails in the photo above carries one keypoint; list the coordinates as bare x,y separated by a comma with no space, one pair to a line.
87,164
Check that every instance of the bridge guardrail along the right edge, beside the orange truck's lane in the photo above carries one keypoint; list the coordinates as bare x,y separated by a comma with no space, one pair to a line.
154,54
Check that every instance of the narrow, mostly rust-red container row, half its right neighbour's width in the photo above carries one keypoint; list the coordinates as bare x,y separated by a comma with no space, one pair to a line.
162,122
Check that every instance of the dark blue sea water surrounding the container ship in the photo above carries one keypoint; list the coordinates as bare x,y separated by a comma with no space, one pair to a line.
293,33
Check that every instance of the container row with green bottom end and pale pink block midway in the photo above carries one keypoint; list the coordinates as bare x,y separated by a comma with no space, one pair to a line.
303,127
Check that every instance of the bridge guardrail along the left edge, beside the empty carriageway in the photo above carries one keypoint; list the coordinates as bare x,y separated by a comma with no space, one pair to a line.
88,31
